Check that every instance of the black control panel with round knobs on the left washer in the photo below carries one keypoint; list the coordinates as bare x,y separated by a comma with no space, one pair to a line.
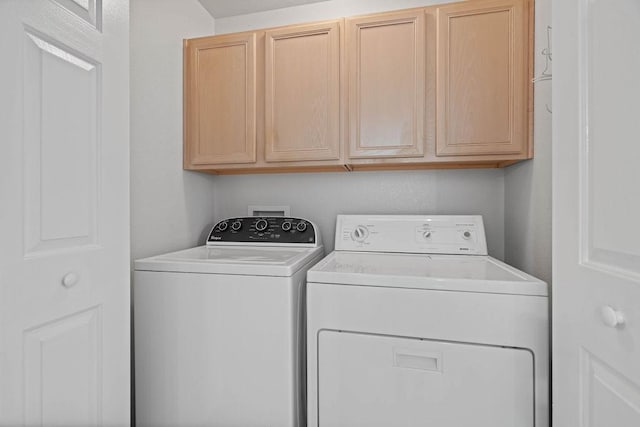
271,229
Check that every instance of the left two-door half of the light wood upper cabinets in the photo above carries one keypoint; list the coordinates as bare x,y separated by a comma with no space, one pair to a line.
266,100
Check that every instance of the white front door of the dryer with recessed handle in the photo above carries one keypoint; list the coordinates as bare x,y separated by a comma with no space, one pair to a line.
371,380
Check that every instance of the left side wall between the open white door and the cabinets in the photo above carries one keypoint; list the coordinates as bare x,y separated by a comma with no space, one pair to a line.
169,207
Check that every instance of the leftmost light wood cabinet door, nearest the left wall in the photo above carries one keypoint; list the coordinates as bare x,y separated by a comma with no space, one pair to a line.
220,100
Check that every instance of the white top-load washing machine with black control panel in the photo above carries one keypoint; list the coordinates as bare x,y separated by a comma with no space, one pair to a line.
219,329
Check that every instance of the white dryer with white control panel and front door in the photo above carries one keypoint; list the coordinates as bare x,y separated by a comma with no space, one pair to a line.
410,323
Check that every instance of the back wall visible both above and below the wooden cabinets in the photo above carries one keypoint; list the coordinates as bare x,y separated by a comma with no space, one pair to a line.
320,197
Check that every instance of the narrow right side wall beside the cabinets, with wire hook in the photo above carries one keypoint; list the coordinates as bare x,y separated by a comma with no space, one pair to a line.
528,184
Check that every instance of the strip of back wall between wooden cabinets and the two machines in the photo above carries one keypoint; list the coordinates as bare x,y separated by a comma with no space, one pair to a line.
321,196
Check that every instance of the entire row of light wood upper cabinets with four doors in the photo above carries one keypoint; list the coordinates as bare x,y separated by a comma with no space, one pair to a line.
439,86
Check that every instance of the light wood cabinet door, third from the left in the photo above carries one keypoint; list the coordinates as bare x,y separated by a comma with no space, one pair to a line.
386,85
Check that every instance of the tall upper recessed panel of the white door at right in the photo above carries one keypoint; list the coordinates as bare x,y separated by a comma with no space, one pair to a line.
611,114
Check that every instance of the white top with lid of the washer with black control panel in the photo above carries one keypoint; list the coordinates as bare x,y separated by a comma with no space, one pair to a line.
240,260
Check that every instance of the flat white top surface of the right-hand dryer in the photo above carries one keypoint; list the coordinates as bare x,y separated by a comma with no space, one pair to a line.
464,273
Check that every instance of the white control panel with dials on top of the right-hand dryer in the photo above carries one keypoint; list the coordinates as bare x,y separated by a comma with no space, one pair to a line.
436,234
